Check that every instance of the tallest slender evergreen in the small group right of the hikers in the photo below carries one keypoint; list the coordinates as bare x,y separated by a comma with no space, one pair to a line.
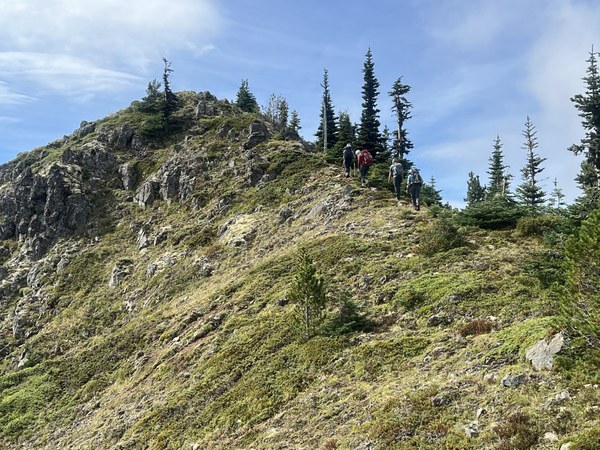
530,193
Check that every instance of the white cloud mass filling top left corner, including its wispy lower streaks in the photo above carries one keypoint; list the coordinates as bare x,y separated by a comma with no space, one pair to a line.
82,47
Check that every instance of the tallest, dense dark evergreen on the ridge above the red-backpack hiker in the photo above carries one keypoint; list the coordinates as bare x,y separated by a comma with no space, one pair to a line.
368,133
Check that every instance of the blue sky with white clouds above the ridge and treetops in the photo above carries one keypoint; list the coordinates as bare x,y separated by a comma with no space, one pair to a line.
477,68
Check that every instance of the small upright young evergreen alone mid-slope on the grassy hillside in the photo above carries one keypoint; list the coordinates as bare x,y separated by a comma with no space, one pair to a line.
308,294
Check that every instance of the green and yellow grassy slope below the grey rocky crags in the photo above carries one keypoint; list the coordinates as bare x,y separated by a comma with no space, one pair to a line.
212,360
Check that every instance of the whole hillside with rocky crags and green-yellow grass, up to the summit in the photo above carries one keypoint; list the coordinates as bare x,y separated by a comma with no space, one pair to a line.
144,301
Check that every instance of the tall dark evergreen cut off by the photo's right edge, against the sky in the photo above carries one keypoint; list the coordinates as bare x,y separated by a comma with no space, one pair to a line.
588,105
